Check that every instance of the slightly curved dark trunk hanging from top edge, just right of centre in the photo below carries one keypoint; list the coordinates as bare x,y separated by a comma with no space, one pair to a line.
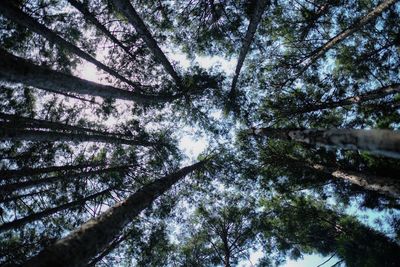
251,30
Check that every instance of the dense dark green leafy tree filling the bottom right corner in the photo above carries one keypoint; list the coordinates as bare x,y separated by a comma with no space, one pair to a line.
304,225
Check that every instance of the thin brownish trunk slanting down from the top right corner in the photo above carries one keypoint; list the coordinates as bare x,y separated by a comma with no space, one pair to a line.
346,33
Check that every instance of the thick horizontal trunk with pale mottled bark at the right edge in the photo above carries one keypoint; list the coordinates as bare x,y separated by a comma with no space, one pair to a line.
380,142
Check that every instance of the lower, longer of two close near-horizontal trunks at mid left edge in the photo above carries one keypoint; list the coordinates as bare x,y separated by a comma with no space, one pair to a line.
47,136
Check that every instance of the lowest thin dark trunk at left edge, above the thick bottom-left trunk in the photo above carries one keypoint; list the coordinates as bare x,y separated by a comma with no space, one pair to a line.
47,212
